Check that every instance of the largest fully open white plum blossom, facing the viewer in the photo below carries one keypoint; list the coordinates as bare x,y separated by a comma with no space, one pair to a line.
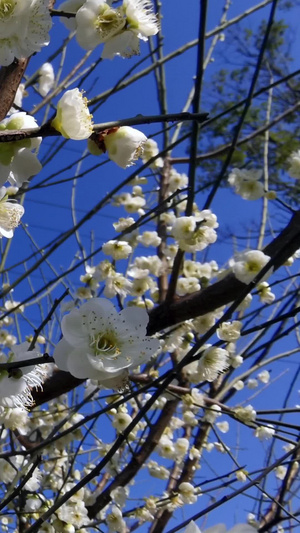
100,343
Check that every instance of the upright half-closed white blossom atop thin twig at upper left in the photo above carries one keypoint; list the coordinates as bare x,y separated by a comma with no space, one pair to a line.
73,119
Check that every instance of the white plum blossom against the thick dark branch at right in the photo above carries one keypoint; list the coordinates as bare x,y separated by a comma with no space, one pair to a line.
248,264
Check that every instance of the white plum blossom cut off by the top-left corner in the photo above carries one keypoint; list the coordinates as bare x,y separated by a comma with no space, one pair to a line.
24,27
